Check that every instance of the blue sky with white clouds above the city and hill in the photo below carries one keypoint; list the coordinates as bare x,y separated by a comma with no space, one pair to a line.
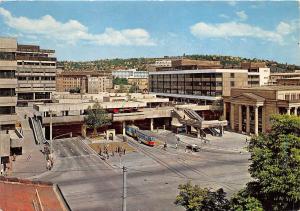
89,30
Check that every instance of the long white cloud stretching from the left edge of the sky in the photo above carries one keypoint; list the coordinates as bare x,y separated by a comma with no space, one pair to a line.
73,31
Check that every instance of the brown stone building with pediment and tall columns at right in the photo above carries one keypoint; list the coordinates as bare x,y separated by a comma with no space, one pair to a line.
249,109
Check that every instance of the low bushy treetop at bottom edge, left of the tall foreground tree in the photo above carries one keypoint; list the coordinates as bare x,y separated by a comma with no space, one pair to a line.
195,198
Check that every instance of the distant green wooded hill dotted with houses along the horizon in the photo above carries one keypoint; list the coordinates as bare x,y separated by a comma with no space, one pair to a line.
141,63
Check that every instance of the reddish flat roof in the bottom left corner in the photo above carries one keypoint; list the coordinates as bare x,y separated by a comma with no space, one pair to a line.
17,194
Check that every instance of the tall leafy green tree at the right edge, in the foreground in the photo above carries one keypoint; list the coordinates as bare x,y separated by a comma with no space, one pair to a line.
275,165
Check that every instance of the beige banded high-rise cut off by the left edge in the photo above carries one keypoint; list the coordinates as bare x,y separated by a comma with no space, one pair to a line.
10,137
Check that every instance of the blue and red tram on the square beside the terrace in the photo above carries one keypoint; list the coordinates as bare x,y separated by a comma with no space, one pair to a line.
141,135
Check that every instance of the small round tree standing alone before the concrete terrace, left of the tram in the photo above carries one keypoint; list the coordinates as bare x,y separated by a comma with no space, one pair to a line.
96,117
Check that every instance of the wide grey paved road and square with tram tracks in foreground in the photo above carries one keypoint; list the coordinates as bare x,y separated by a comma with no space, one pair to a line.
89,183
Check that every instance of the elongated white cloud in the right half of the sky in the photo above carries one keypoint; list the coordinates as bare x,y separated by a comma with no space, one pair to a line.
242,30
